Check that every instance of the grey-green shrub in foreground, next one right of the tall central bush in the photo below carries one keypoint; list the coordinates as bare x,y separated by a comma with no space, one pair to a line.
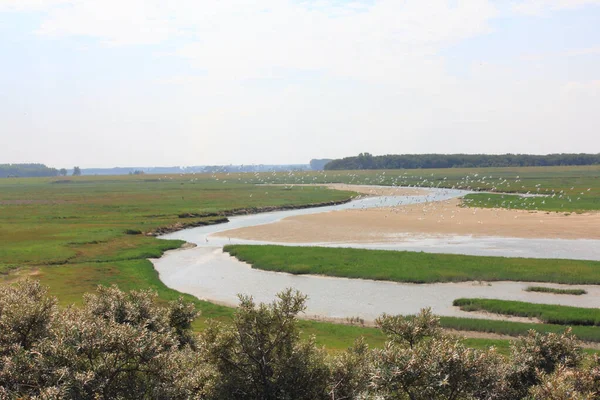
420,363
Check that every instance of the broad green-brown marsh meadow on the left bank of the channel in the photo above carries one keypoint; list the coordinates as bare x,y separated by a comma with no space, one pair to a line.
72,230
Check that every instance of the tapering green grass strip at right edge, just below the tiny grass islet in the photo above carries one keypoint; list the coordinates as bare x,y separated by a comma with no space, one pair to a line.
547,313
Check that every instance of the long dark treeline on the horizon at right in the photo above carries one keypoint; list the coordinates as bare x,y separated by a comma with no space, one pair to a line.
411,161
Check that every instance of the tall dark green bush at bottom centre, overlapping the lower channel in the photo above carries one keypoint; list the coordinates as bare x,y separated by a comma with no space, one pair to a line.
261,357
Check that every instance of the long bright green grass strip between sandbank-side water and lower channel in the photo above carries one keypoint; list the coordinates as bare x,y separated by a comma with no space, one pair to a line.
415,267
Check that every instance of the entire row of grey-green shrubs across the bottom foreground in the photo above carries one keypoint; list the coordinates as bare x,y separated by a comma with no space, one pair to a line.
126,346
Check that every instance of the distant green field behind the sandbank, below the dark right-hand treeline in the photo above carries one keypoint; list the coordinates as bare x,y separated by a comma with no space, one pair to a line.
572,181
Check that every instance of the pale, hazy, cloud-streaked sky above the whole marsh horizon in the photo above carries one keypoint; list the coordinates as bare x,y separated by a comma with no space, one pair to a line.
215,82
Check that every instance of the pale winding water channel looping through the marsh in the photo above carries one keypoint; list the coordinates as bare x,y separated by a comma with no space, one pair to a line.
208,273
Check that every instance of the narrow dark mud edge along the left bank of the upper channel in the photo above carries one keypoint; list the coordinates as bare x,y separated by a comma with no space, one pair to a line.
222,217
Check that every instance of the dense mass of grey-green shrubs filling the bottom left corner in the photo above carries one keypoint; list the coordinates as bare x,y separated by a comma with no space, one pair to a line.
117,346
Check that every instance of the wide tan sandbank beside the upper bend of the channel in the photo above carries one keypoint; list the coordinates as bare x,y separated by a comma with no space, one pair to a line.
384,225
